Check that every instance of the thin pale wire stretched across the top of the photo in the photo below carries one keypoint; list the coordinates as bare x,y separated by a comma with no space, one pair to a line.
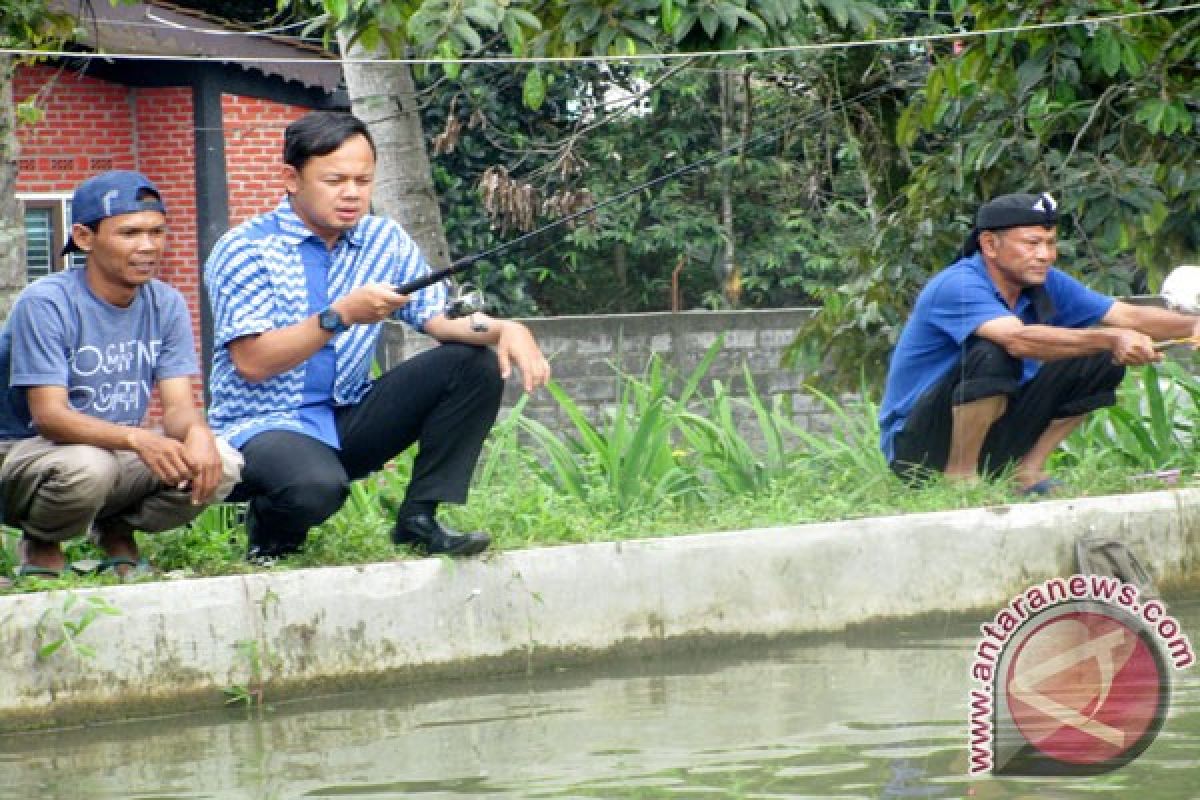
1089,22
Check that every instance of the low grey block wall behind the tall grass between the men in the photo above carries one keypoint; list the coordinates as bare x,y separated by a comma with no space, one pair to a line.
587,352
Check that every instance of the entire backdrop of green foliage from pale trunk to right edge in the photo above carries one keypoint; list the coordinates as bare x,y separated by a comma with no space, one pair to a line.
854,173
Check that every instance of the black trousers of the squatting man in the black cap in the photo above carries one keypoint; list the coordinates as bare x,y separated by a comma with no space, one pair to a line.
1060,389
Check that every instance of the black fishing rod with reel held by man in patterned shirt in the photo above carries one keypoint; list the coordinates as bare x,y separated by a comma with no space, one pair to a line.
467,306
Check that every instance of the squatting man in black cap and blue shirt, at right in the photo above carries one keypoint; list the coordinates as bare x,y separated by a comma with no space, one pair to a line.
1005,356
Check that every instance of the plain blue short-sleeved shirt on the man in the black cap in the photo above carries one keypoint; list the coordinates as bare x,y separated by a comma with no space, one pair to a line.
952,308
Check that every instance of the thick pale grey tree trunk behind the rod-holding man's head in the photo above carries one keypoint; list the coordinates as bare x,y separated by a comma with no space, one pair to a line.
385,98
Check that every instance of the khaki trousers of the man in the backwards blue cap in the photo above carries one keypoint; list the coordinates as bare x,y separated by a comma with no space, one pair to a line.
57,492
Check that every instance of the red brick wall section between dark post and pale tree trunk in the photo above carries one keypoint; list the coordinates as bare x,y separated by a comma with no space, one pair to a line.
254,142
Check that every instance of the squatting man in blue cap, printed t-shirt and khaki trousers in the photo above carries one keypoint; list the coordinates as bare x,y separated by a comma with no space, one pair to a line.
81,354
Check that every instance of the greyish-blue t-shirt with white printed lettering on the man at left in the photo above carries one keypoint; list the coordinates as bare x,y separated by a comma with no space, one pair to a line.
109,358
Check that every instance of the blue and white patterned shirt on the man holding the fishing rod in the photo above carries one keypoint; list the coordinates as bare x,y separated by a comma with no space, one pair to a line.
256,282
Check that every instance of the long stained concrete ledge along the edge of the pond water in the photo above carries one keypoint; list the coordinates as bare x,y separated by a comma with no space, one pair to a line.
177,645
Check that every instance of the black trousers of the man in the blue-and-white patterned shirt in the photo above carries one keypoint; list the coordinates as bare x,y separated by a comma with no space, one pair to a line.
445,400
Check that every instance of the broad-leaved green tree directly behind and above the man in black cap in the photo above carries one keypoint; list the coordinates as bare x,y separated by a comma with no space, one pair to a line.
1102,116
